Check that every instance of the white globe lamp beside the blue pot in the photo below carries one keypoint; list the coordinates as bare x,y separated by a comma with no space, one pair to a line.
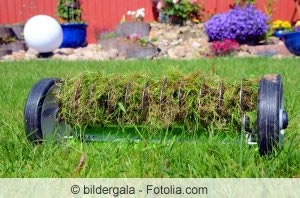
43,33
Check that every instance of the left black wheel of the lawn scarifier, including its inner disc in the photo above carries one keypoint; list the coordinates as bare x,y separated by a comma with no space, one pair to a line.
40,110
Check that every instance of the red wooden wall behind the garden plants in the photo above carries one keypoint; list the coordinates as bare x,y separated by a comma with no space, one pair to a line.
103,15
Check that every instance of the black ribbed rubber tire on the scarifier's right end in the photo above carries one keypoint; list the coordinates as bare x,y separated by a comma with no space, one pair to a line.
269,100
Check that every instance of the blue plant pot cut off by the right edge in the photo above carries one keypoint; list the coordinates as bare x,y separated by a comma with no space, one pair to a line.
292,42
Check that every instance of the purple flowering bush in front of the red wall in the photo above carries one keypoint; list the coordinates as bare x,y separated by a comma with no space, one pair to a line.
243,24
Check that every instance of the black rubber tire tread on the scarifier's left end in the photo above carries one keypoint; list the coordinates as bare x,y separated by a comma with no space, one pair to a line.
33,109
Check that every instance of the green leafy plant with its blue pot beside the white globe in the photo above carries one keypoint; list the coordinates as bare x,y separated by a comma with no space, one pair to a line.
74,29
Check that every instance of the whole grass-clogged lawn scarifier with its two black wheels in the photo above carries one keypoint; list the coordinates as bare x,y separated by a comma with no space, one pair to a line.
196,102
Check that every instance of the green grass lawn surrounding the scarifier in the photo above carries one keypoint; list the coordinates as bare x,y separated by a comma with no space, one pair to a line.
213,155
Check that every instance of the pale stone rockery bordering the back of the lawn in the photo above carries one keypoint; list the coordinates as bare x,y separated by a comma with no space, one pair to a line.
169,41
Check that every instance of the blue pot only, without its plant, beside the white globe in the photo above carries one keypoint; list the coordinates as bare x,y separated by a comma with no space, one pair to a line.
74,35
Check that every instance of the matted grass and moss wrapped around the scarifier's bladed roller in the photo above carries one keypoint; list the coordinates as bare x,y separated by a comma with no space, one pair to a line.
195,101
